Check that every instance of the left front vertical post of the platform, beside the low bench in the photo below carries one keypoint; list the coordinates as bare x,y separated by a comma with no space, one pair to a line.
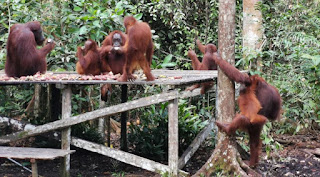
66,133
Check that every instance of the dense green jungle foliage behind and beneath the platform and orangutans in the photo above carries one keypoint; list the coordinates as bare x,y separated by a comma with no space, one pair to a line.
291,54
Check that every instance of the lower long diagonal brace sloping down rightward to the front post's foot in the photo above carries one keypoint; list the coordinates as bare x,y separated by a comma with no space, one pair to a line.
123,156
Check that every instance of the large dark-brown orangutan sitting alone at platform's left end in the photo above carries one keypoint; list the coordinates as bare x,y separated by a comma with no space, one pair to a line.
23,57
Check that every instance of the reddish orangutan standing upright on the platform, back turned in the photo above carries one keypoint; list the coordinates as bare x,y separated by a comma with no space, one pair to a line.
139,49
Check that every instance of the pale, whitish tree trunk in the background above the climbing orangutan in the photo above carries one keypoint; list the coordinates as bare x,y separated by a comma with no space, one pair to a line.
252,30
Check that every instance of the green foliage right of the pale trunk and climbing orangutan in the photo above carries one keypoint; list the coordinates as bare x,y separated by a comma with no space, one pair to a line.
291,59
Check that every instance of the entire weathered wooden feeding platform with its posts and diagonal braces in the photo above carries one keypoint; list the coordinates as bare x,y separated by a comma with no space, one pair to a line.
171,94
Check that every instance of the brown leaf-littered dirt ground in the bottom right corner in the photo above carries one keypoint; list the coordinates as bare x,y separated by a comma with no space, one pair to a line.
300,156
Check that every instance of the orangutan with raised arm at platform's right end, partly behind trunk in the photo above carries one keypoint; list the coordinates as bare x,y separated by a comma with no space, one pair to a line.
207,63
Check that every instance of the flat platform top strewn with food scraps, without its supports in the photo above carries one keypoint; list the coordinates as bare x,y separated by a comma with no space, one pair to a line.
164,77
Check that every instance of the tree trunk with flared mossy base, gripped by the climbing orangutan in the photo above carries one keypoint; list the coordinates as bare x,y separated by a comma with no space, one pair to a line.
225,156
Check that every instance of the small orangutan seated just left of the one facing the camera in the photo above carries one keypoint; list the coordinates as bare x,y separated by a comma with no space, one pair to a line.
89,62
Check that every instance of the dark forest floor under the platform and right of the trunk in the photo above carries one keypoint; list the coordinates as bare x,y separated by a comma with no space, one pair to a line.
299,156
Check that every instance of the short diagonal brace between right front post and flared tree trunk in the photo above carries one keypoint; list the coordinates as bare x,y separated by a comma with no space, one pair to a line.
195,144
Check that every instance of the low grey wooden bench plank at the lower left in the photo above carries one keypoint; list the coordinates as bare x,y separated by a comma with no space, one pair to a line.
32,153
